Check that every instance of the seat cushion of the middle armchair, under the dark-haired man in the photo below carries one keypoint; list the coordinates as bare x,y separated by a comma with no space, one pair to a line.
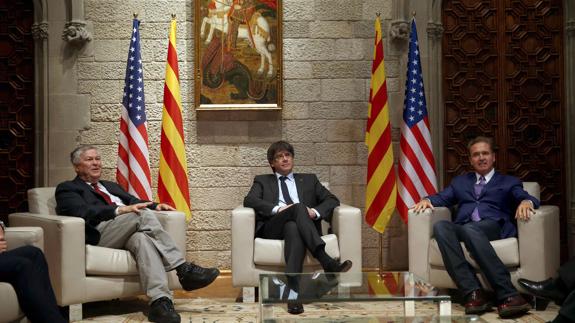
269,252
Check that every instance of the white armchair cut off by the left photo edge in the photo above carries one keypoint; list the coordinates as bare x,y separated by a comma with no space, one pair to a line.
17,237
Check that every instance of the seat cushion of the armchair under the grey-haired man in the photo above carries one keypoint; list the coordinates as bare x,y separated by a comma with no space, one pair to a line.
101,261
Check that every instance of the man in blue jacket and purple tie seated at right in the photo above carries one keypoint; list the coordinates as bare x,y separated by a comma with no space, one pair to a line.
486,202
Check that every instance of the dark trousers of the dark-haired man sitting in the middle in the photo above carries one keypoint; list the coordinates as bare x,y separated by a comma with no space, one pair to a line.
299,232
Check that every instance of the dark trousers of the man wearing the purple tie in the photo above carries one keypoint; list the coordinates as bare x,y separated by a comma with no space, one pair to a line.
476,237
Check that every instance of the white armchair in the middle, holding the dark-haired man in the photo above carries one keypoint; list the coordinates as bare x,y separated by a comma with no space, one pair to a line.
254,256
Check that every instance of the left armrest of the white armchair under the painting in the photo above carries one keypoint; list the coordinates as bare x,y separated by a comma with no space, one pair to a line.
243,234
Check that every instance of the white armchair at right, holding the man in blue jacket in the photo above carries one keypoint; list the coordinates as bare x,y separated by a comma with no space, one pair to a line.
534,254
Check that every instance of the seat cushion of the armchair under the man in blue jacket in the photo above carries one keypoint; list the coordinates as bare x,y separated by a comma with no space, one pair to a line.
507,250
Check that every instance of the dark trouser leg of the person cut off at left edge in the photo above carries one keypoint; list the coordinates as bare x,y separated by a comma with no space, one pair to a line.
25,268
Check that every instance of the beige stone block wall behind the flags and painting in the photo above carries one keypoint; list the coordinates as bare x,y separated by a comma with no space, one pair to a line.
328,50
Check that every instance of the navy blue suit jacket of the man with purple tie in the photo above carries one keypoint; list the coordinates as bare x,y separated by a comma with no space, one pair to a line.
498,200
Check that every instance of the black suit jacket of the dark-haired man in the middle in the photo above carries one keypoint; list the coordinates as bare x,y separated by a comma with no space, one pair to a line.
264,196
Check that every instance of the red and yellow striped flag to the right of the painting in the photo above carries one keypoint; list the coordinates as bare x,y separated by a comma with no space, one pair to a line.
381,191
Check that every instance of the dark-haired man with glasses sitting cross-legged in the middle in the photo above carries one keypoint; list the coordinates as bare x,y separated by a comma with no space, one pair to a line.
291,206
